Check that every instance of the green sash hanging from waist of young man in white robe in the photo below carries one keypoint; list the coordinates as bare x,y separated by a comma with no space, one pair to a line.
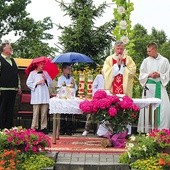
157,94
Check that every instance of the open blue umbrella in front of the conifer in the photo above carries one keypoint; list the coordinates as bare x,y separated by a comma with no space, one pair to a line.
72,57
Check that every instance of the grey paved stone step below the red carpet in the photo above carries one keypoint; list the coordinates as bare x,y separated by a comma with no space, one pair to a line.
88,161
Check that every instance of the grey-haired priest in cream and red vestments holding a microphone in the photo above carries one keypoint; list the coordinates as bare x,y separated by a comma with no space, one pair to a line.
119,70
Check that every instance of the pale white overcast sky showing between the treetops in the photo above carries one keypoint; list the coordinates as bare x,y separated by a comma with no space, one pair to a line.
148,13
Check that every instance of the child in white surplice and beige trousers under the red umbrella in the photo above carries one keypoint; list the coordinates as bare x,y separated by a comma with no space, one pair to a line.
38,81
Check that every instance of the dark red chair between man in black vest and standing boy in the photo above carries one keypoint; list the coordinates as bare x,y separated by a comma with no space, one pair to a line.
25,108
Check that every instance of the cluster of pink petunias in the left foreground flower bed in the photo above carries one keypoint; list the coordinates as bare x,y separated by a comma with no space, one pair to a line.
31,140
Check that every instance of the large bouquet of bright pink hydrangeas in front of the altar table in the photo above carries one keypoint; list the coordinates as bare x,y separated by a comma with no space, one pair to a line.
119,112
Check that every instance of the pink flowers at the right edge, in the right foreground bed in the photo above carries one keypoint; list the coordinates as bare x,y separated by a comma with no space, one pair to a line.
161,137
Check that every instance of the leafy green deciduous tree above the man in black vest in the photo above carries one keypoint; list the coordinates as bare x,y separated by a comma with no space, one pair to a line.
14,17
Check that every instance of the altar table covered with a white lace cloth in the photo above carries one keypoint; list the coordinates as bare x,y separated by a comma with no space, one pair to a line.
59,106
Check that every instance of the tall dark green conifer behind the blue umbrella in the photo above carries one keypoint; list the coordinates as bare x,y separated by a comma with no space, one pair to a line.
82,35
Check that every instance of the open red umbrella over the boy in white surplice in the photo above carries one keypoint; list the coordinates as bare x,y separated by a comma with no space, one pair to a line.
50,67
